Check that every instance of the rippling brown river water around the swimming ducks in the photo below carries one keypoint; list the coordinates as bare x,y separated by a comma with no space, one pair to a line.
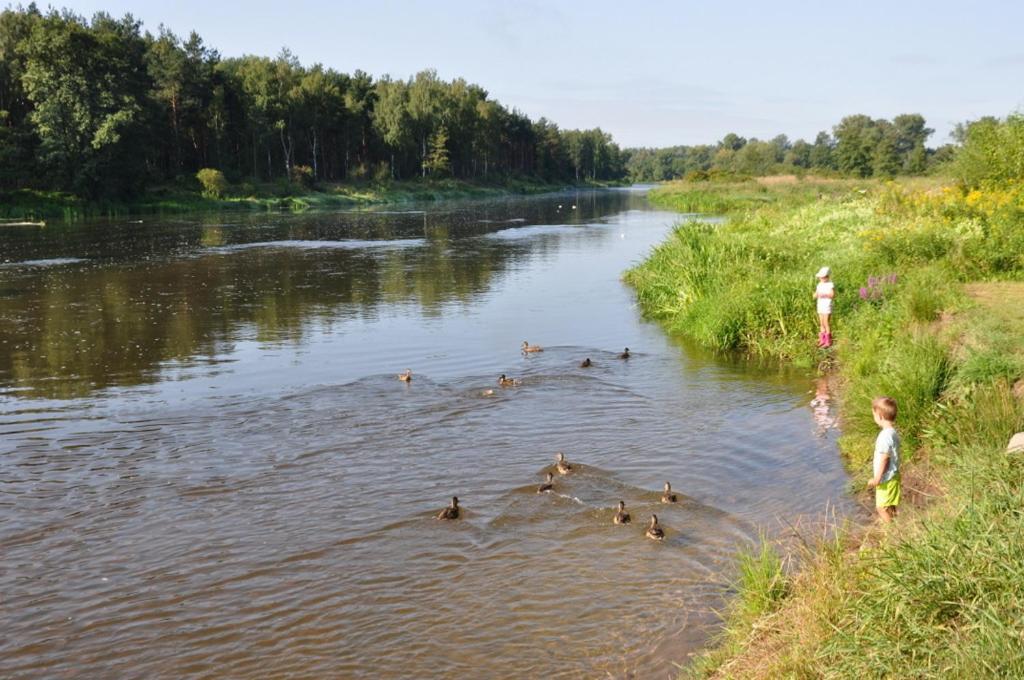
208,467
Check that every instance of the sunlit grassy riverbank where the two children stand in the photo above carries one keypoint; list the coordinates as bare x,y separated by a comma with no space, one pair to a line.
928,312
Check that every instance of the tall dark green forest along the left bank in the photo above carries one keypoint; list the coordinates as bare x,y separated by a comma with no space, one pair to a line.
100,108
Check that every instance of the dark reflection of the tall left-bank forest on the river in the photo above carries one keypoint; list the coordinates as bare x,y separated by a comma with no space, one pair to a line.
88,307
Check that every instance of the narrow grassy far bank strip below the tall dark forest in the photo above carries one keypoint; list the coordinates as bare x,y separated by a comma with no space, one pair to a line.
31,205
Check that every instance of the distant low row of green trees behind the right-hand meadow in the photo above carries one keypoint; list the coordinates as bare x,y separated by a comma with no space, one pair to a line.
858,147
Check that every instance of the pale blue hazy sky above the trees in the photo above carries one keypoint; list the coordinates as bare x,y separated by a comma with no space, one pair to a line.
652,73
